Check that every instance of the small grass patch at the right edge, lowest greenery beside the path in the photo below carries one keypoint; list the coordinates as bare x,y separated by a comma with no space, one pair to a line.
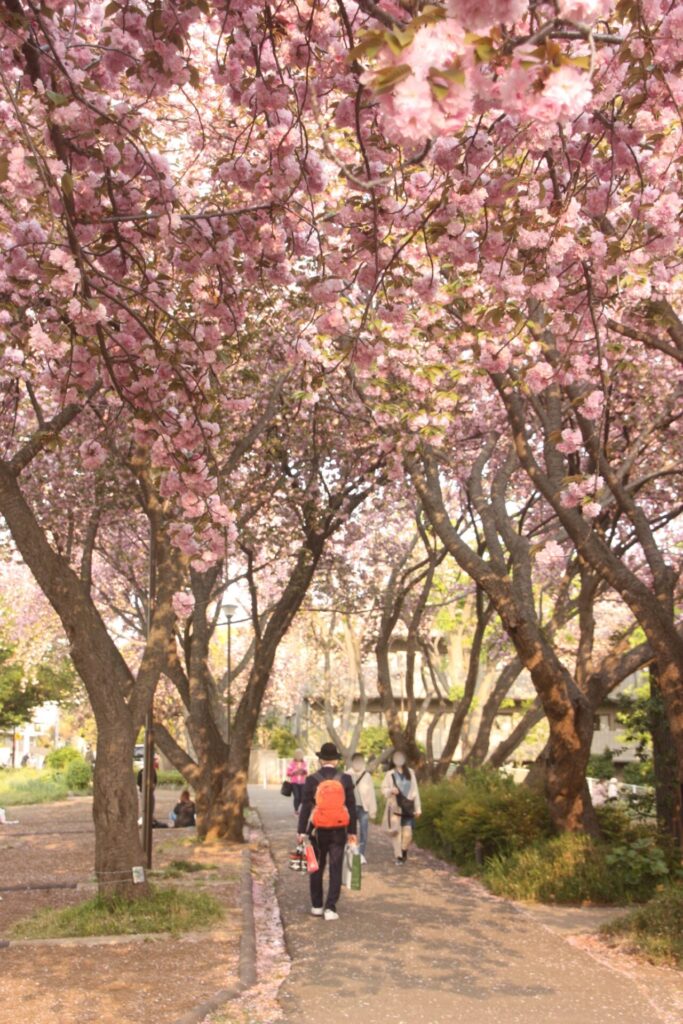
656,929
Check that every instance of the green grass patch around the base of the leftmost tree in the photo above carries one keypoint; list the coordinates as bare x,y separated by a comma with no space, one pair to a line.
164,911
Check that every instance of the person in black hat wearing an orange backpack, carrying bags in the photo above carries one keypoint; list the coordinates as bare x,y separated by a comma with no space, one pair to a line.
327,816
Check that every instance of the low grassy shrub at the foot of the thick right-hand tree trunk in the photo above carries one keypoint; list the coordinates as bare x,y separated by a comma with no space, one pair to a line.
573,869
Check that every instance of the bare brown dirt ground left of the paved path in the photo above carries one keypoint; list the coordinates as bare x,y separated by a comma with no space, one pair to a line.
127,983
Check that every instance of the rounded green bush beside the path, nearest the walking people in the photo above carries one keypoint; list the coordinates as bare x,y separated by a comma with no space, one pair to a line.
481,807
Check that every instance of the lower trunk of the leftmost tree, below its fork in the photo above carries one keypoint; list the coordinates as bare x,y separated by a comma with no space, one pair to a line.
115,813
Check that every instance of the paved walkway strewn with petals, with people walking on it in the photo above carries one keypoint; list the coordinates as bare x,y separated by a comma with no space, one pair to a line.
419,946
